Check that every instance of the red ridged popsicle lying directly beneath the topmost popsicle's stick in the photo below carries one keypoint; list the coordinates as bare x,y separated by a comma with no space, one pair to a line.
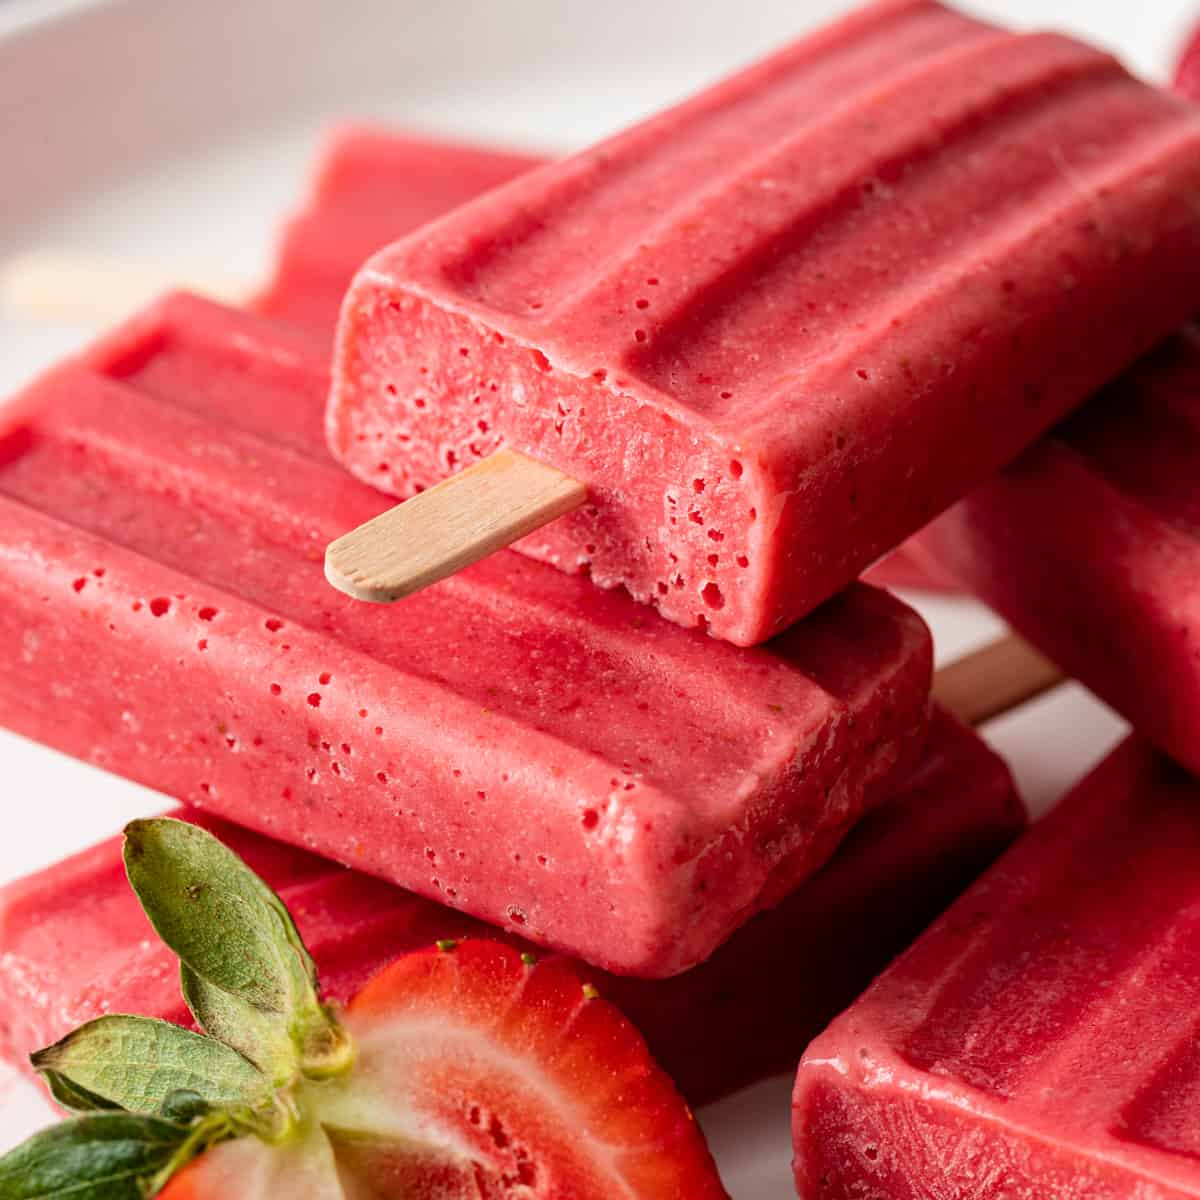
544,755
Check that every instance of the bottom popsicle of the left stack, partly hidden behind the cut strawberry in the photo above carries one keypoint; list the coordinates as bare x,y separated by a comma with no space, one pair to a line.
74,943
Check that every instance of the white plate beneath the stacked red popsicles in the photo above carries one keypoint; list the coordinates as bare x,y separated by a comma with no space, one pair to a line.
173,131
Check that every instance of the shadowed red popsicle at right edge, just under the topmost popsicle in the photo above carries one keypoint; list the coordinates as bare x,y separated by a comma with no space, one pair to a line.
1089,545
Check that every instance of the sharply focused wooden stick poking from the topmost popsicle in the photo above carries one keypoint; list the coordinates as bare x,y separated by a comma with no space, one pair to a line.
460,521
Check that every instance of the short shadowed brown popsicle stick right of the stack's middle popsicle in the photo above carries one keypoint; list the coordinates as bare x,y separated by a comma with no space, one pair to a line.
995,680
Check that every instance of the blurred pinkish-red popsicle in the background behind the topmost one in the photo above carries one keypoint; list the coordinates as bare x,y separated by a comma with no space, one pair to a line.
370,188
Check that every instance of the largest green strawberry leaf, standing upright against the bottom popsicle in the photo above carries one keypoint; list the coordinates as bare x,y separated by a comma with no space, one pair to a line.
227,926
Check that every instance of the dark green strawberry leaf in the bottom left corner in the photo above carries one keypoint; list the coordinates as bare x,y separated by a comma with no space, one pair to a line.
107,1156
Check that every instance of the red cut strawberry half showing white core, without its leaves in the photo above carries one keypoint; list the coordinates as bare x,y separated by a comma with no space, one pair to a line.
479,1076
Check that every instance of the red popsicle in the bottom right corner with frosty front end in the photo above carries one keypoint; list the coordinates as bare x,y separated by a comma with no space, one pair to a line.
1041,1040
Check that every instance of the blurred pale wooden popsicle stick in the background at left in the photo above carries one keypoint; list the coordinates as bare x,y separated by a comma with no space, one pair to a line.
65,287
